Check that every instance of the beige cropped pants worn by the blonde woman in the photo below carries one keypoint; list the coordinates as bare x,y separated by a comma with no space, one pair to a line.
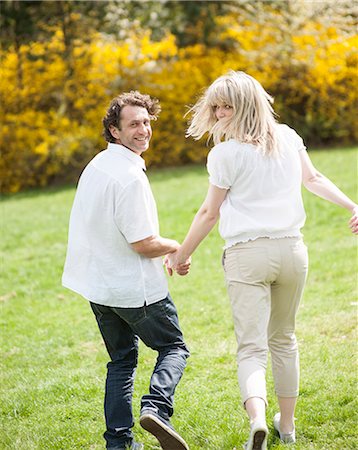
265,280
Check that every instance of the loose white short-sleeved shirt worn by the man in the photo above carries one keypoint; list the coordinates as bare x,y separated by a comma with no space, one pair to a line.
113,207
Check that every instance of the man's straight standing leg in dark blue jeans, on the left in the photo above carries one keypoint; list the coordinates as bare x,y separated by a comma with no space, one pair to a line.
122,346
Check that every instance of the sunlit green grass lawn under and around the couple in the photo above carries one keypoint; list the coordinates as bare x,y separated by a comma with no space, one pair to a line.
53,360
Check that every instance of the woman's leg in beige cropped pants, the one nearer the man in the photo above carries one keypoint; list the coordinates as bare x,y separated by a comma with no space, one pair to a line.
246,270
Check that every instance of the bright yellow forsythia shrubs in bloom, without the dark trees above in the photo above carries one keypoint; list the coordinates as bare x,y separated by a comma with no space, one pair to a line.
53,98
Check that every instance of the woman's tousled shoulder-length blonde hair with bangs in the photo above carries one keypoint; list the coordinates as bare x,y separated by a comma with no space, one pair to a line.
253,120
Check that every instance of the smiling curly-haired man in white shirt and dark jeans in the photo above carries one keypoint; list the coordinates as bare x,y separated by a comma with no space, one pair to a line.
113,260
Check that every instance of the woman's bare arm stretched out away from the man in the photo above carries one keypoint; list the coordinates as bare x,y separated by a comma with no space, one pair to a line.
320,185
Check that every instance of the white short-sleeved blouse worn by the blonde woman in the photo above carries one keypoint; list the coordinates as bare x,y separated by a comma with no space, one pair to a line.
264,193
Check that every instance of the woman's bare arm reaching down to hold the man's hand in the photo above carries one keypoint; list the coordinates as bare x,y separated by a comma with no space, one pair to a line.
203,222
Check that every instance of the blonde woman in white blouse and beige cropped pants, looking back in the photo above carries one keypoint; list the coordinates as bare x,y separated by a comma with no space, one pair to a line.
255,179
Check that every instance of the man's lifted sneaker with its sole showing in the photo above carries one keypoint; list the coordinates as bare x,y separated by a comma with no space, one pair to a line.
162,429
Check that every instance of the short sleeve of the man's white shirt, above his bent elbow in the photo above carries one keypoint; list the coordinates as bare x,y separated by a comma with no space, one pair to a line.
135,212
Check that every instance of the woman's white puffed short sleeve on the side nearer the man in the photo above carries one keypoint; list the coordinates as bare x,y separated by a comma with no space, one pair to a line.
221,166
